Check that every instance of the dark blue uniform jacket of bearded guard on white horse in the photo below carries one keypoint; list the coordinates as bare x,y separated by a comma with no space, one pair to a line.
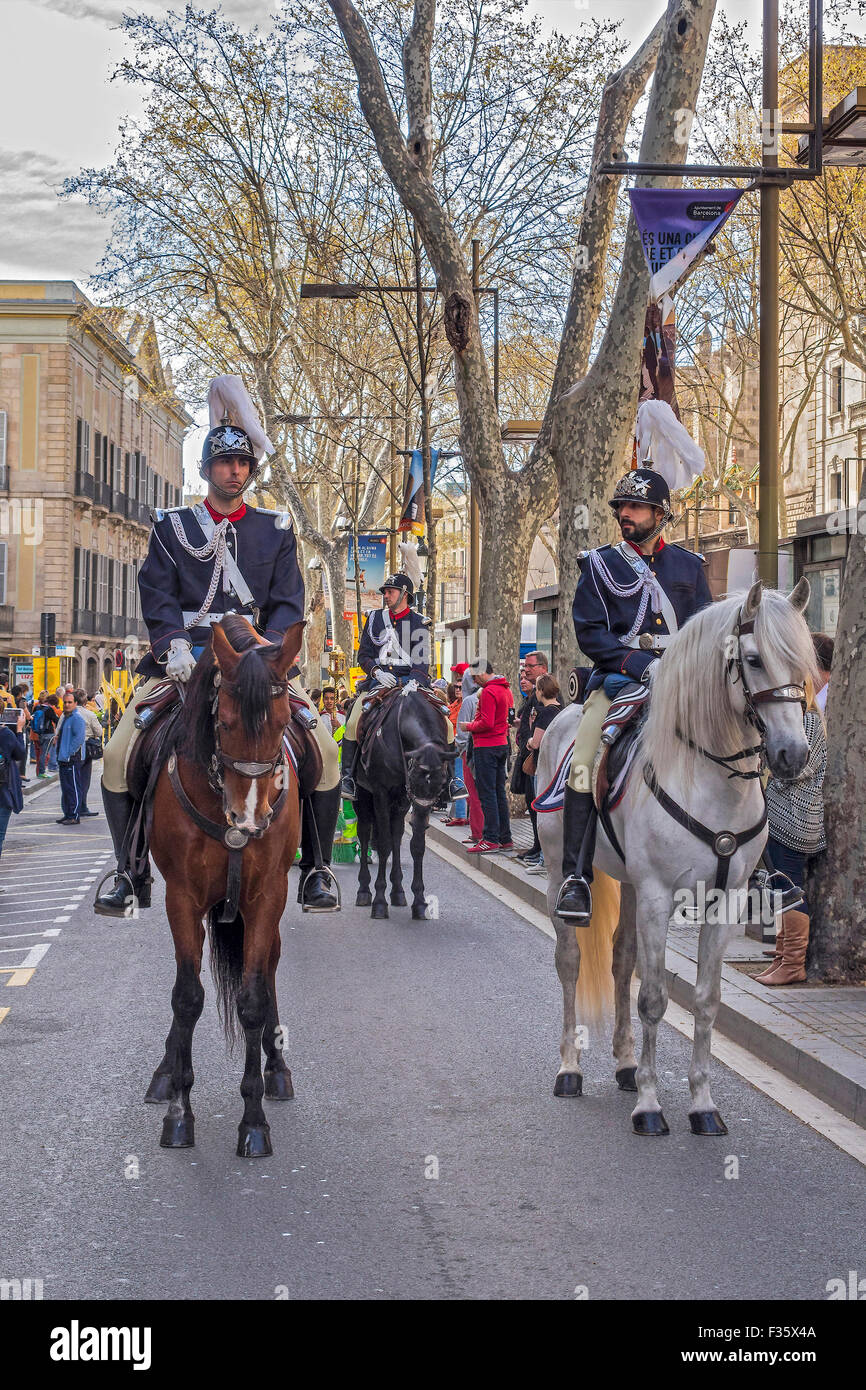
601,618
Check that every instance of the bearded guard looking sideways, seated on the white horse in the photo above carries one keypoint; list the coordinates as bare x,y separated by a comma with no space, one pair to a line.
630,601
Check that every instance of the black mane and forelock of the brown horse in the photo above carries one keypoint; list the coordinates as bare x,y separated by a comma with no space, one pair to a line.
252,690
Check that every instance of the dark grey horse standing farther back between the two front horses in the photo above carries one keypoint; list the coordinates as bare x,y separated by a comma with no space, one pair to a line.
408,764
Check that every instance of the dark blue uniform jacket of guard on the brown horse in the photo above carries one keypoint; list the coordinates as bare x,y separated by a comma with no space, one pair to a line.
172,582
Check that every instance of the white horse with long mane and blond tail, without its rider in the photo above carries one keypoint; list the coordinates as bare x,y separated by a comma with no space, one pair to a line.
730,683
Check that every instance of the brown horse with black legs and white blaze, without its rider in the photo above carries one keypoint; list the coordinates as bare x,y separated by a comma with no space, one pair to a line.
227,785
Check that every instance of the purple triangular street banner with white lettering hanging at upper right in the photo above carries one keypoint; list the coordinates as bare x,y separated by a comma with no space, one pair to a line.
676,226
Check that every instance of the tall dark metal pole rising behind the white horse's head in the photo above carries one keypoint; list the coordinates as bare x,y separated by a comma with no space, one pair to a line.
768,419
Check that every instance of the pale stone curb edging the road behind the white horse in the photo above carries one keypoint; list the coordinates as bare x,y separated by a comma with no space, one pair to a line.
747,1015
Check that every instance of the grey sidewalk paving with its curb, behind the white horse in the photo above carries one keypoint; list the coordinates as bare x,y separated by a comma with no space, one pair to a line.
814,1035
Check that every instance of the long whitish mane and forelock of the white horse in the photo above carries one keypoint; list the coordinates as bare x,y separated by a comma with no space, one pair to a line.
690,690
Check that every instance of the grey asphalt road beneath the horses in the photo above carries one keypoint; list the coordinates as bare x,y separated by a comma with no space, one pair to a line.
416,1049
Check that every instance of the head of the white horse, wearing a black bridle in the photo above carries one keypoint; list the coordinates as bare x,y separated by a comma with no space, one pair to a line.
771,669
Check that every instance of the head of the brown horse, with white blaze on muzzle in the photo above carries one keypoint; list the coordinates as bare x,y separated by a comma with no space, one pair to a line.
252,710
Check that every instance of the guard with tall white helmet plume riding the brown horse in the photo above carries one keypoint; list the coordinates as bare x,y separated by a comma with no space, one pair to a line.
204,564
